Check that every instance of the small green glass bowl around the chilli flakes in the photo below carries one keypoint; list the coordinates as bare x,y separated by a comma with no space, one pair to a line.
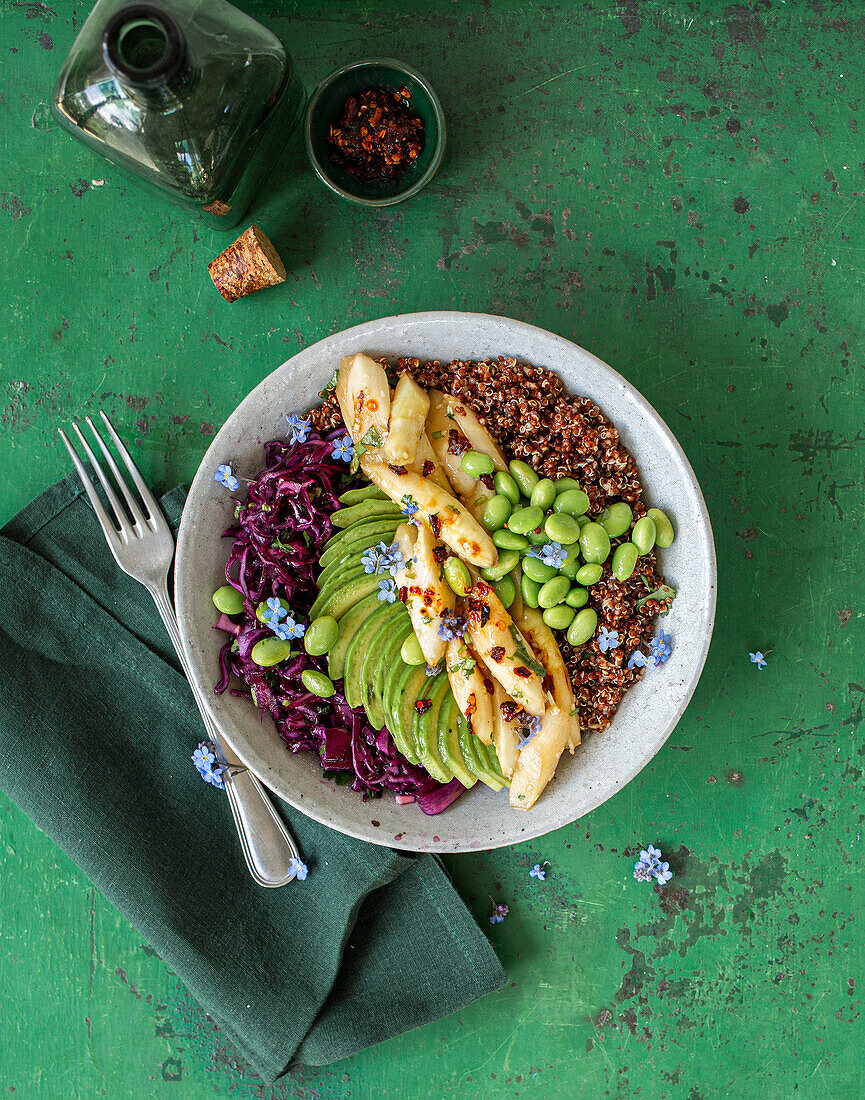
326,106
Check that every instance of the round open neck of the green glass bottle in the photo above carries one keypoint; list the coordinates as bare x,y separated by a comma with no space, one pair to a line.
146,49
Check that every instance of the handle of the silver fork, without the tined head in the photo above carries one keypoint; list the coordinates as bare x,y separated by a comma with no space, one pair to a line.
267,844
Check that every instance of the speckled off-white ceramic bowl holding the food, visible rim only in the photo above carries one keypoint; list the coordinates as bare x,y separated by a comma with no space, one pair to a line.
606,762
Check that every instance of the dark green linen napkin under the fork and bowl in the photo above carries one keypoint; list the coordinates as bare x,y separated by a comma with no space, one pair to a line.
97,728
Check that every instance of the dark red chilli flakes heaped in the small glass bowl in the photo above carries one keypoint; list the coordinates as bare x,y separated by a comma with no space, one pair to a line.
377,137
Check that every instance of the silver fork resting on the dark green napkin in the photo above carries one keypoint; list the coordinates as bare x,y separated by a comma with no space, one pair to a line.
145,549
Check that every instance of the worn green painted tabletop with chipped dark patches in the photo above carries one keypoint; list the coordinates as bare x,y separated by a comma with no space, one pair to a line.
677,188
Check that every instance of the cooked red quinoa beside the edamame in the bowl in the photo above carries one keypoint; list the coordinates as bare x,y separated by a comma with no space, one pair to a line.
530,413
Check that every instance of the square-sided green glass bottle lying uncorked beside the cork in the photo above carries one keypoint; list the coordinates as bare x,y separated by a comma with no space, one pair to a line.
193,97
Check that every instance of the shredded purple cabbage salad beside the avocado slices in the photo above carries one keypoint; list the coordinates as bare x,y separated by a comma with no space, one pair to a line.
281,531
